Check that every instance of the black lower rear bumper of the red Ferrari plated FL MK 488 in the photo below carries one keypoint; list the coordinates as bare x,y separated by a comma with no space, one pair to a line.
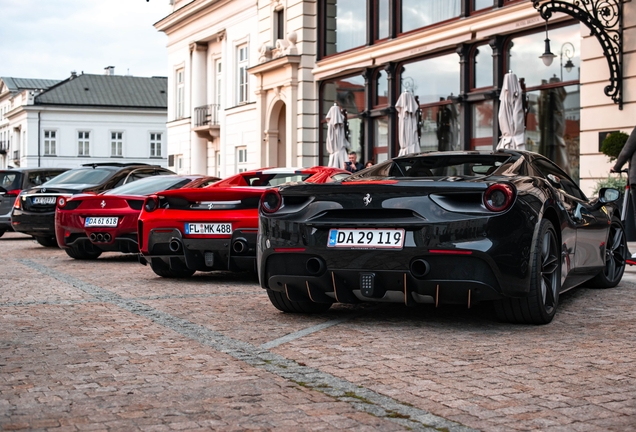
237,253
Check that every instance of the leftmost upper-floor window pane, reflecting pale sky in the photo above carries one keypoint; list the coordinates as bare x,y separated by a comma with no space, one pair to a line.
346,23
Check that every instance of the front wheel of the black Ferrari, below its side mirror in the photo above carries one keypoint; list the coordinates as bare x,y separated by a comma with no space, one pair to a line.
615,253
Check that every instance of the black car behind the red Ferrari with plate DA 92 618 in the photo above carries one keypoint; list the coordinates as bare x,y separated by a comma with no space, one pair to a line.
34,211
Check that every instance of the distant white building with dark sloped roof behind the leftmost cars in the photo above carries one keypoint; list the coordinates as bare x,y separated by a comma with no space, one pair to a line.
83,119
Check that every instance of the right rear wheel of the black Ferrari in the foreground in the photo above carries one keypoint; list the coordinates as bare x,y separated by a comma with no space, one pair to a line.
540,306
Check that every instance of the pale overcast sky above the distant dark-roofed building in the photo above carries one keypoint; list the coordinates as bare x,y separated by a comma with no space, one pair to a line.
51,38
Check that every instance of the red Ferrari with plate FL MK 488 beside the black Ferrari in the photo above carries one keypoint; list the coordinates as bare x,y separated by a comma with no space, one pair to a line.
214,228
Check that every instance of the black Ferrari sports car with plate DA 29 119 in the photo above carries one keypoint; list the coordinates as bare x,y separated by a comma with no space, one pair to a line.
508,227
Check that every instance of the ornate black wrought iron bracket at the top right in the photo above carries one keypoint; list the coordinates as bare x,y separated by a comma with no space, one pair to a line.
604,18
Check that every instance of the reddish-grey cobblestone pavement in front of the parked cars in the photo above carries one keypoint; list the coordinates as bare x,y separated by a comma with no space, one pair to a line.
108,345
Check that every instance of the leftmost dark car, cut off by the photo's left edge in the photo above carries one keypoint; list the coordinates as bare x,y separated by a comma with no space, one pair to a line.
13,181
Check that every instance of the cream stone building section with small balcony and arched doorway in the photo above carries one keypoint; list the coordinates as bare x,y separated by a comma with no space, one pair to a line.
241,93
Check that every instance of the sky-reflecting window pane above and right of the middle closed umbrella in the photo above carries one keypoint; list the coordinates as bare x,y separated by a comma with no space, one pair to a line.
432,79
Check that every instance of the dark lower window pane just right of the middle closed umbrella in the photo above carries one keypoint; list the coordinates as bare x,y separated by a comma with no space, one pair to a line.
440,127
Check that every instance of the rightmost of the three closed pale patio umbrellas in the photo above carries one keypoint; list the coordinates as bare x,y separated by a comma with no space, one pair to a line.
510,116
